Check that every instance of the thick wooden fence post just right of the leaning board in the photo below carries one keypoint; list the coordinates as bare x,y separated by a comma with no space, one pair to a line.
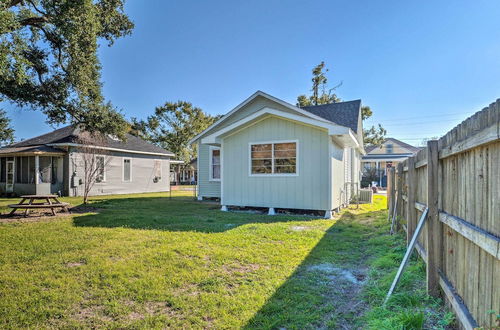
434,226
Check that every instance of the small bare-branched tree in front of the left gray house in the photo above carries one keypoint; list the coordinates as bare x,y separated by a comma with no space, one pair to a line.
92,161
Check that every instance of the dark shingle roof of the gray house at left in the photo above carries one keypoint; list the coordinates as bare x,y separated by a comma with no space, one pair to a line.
70,134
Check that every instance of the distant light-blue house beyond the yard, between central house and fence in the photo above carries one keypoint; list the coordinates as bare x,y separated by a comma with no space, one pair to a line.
379,158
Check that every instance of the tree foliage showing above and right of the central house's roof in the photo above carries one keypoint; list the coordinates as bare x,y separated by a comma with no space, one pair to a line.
321,94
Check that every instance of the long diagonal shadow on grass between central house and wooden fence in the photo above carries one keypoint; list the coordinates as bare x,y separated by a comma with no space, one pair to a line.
325,290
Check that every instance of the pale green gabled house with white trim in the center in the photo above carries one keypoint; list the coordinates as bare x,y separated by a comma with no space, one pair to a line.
269,153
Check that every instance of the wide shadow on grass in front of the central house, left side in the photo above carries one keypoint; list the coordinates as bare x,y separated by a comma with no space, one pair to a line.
172,214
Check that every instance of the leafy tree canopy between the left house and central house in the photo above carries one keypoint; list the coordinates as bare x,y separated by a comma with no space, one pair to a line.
172,126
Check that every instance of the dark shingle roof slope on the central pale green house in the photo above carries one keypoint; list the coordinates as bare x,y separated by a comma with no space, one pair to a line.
341,113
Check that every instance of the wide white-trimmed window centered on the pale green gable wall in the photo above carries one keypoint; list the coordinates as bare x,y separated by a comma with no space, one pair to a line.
273,158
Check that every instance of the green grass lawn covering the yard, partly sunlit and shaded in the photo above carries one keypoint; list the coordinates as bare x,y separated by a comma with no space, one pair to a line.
145,261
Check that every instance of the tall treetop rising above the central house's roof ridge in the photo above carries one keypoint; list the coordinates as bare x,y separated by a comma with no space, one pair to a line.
321,94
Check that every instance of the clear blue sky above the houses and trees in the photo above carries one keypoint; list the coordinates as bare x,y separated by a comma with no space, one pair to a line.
423,66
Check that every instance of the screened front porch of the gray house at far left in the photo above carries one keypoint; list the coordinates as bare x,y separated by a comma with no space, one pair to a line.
31,170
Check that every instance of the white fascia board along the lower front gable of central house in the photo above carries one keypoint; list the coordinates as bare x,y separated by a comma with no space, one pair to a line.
332,128
